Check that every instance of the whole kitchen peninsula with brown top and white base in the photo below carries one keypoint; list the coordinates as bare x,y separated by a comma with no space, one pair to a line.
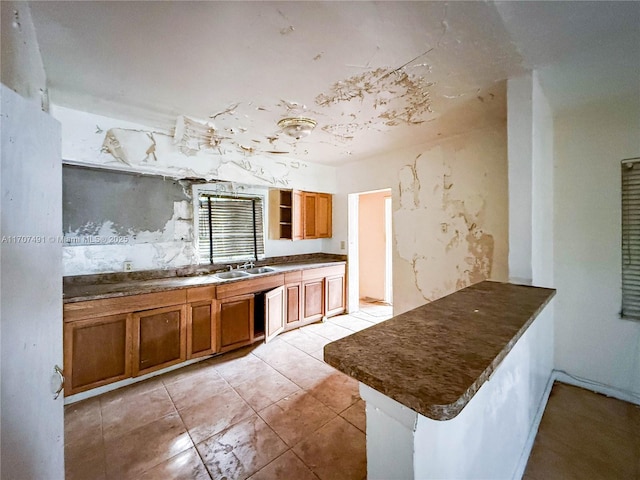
453,387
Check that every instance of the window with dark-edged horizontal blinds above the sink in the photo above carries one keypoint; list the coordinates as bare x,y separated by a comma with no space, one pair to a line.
230,228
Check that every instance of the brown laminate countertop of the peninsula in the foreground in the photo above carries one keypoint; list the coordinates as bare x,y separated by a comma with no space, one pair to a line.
434,358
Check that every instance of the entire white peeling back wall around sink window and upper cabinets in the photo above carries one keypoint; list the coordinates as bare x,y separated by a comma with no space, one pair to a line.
106,197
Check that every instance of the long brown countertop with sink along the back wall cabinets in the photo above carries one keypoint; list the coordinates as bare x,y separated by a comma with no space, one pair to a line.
78,291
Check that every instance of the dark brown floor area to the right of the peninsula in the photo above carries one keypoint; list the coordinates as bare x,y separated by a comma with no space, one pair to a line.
584,435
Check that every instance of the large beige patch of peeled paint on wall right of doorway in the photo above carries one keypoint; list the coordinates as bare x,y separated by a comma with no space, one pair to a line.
450,244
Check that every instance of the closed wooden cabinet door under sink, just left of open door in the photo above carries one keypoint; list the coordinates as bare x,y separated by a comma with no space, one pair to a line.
235,322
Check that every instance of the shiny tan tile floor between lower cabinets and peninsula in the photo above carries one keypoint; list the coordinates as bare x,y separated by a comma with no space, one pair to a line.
269,411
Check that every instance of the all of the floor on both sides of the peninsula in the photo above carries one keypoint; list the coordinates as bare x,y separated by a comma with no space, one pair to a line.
276,411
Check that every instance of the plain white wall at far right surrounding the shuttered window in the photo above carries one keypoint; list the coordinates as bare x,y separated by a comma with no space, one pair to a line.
591,341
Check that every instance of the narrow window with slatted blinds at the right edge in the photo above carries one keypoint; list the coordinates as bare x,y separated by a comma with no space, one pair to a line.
631,238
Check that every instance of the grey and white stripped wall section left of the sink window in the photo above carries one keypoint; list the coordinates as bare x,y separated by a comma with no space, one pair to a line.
112,217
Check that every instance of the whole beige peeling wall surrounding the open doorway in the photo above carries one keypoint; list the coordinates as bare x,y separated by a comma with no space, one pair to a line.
450,212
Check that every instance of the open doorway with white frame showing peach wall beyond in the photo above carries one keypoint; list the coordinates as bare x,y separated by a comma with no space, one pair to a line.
370,249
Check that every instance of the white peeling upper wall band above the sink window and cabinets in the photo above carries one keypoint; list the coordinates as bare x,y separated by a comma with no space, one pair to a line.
94,140
